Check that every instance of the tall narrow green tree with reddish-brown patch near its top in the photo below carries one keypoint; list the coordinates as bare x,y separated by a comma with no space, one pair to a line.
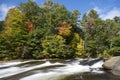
88,23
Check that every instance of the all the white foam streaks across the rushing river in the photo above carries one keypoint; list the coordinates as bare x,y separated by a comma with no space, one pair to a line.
53,74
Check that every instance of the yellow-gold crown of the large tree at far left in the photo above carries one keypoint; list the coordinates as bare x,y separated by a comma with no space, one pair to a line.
15,22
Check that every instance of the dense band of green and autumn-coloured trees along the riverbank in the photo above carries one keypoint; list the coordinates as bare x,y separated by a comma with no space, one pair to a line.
31,31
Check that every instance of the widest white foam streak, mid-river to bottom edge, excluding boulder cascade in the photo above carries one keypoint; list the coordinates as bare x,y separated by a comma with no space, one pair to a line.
57,74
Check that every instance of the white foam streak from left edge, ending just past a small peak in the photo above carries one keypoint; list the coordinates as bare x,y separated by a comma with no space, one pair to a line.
17,70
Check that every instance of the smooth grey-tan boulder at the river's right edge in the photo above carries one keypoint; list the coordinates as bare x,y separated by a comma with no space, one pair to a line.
113,64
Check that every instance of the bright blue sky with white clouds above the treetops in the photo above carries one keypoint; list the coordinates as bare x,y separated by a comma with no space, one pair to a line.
107,9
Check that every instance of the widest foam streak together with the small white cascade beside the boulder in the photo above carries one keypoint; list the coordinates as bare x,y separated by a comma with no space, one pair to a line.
59,73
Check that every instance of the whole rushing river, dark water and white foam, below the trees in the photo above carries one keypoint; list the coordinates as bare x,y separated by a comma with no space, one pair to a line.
77,69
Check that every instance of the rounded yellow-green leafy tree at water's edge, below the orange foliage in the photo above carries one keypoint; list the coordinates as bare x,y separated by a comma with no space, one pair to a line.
54,47
